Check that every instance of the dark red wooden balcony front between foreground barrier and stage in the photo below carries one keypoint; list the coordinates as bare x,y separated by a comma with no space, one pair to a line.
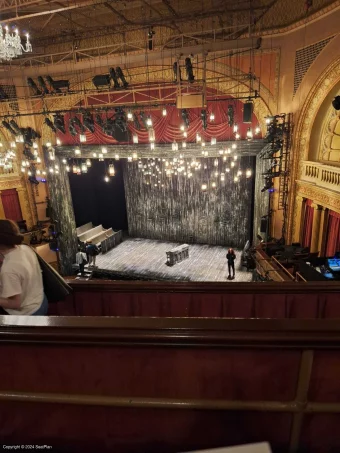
197,299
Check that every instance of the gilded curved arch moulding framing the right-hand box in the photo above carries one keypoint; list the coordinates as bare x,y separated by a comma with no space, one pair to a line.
304,128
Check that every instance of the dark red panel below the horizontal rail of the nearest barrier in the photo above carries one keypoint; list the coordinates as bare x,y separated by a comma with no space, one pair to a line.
102,429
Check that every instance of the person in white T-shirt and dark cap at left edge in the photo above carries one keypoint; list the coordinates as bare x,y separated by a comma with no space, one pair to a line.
21,283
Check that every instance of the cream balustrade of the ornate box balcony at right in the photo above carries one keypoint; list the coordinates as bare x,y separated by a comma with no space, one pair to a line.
326,176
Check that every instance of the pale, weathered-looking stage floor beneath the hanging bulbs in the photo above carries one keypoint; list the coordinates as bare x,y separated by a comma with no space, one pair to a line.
147,258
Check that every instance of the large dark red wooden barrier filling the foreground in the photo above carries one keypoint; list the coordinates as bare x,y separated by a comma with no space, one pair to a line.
169,385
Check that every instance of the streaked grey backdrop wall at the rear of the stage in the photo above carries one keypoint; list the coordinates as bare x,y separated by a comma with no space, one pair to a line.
181,212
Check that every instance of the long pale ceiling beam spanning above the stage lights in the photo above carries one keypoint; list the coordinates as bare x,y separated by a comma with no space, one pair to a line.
103,63
